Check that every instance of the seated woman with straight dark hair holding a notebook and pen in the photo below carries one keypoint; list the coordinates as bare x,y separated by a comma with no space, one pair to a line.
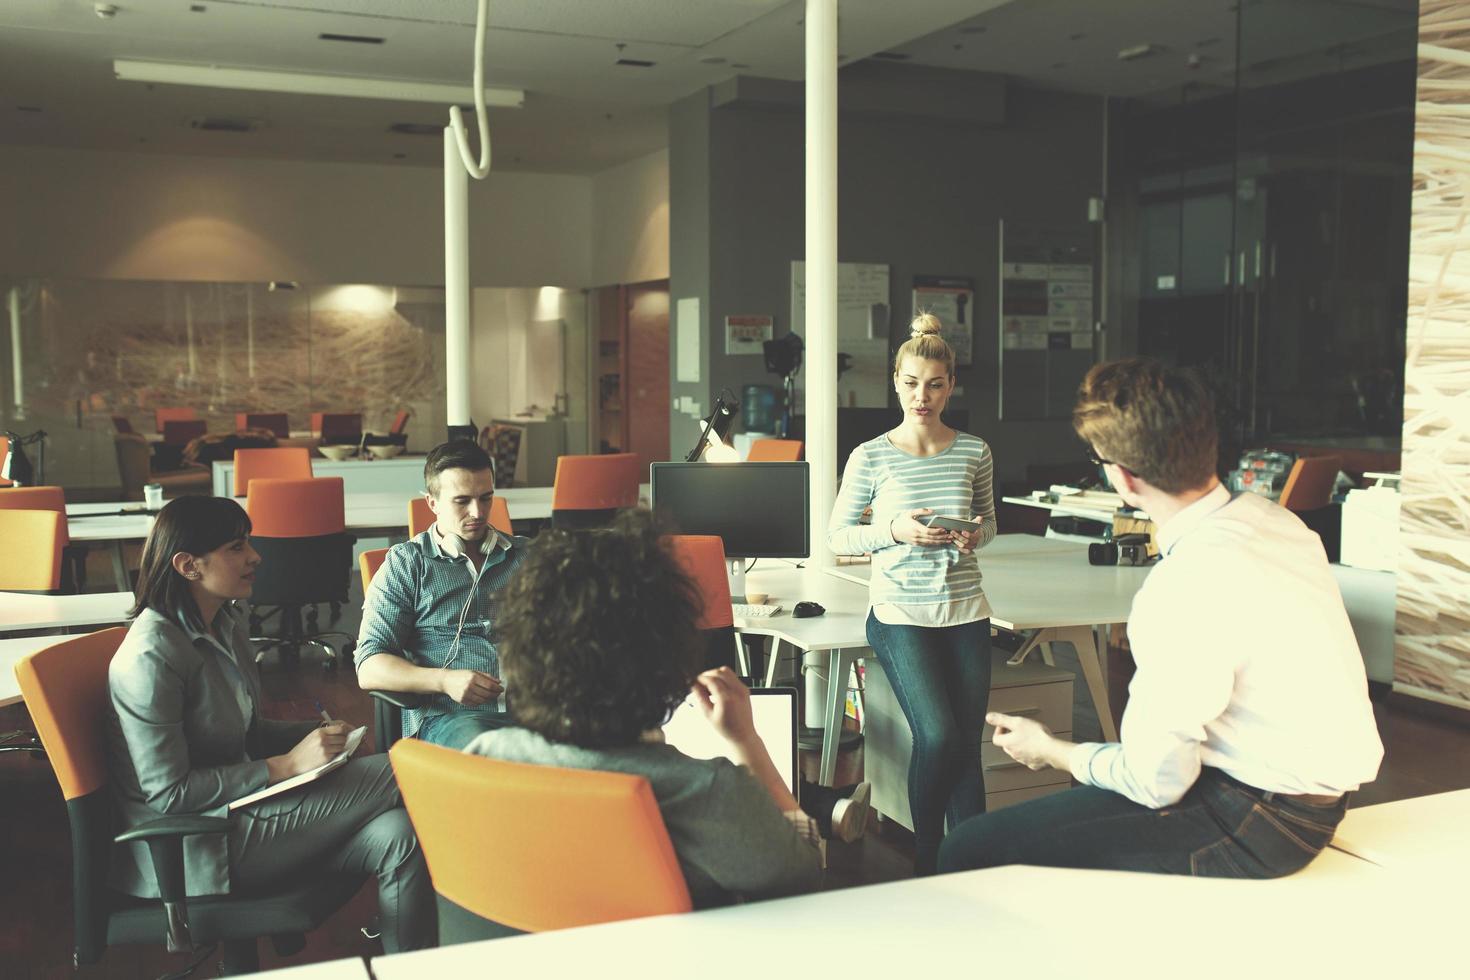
186,737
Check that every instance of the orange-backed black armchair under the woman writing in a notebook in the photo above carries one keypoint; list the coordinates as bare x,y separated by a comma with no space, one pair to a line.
65,688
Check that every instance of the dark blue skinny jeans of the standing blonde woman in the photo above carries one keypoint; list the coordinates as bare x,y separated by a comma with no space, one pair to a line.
942,677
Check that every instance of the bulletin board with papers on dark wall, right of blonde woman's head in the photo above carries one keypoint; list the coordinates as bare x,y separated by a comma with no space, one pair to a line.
1047,314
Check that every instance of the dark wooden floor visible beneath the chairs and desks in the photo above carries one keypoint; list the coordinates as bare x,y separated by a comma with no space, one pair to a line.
1424,757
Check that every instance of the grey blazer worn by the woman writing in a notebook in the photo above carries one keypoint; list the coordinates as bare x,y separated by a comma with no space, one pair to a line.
184,737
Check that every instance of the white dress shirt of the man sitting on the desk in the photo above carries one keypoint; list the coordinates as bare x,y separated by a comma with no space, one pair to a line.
1246,663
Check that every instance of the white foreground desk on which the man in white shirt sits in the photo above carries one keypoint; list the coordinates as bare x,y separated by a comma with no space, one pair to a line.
1019,922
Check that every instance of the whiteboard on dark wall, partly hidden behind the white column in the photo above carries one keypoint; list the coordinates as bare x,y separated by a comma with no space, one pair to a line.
862,331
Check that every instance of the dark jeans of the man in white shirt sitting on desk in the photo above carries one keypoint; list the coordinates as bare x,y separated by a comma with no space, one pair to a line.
1221,828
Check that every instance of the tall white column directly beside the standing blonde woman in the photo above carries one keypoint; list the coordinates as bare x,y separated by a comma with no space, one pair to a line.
821,355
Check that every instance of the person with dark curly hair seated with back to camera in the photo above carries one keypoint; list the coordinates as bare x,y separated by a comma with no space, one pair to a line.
599,646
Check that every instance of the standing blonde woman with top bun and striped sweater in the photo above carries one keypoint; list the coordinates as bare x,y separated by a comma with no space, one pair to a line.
928,621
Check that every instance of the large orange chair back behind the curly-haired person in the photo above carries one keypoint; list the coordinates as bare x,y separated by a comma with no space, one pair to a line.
589,847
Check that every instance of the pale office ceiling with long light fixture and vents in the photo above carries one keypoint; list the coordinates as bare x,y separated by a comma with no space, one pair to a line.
584,112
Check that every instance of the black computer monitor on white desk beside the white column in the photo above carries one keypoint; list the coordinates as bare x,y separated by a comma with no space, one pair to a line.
758,509
